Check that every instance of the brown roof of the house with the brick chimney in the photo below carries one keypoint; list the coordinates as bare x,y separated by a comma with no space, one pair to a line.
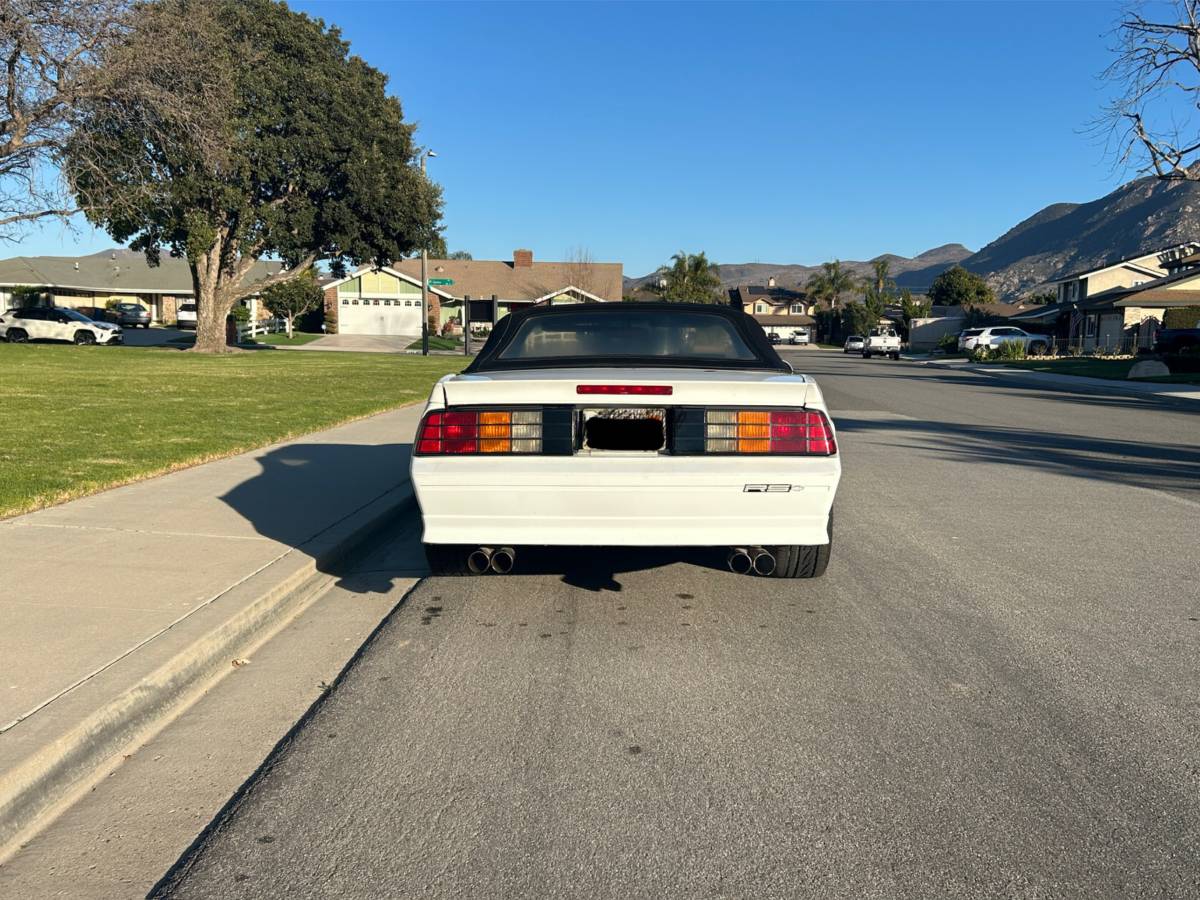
483,278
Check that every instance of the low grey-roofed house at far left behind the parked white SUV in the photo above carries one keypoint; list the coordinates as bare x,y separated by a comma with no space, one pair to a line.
106,278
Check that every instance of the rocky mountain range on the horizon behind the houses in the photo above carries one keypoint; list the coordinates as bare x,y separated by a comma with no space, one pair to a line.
1138,218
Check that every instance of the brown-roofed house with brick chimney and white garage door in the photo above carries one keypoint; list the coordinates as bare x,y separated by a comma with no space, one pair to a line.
388,302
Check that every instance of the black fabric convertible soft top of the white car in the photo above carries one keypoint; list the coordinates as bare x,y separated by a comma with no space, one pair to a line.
755,355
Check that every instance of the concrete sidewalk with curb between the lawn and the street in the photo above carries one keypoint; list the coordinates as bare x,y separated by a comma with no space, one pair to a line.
115,607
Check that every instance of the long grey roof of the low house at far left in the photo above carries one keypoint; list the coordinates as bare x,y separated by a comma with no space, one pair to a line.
112,271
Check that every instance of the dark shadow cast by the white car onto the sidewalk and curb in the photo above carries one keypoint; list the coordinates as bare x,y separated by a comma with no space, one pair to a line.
309,494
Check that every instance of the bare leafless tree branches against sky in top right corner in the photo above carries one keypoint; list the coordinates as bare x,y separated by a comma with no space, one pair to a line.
1155,118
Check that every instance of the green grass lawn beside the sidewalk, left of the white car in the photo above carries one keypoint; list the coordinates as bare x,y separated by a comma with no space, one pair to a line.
77,421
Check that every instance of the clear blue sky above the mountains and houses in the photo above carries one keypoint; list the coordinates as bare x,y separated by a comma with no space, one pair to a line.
776,133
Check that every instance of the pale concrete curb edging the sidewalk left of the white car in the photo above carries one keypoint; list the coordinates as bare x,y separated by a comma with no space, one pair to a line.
56,776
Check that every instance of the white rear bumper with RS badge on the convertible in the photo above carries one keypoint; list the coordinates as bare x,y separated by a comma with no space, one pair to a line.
655,501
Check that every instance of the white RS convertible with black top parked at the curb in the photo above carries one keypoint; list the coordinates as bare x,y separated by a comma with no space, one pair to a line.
628,424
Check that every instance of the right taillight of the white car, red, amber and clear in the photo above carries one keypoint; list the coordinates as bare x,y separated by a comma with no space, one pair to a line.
769,431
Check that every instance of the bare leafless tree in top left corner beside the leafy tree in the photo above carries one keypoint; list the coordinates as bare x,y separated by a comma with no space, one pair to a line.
62,61
